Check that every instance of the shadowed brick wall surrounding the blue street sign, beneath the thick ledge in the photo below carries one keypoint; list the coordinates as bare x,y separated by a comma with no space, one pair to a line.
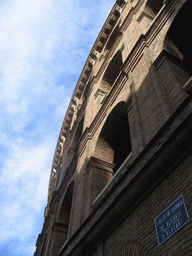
136,235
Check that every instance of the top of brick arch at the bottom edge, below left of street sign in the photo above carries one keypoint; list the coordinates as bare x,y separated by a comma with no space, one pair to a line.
131,249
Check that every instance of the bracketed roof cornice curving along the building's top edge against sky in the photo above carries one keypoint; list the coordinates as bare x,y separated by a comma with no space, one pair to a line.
81,84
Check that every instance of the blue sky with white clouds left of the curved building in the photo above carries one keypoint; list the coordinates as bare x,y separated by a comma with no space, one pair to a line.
43,47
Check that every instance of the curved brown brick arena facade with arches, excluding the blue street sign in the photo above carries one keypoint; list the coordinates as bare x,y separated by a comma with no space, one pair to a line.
124,152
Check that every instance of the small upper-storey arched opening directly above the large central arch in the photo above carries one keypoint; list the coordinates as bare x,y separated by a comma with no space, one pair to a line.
112,71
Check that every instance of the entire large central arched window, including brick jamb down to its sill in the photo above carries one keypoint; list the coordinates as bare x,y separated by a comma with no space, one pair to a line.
113,147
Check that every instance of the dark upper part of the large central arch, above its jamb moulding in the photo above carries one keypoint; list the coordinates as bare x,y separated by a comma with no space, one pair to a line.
114,144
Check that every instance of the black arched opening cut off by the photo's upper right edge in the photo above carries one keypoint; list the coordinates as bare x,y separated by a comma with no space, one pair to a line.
178,39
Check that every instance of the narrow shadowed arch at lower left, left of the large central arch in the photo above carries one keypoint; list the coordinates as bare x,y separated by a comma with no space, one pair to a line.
61,227
